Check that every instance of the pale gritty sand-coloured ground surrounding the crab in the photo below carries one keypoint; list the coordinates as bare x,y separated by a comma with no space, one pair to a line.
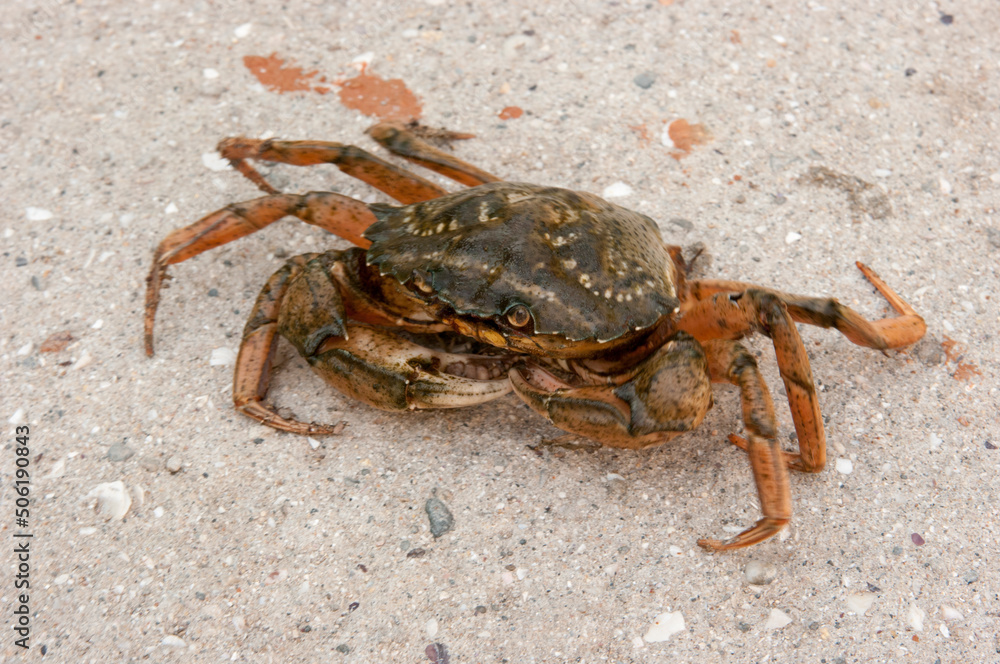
829,135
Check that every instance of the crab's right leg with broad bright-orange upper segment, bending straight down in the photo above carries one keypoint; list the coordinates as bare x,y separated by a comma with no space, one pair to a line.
736,315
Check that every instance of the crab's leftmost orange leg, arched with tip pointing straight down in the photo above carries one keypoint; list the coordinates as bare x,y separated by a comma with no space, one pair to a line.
338,214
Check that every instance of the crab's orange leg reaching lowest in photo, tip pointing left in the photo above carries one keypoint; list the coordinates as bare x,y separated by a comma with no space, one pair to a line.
730,362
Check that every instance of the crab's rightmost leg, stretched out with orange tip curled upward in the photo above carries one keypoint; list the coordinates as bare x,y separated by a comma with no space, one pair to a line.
904,330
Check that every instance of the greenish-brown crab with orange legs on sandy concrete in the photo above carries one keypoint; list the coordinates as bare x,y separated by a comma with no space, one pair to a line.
573,303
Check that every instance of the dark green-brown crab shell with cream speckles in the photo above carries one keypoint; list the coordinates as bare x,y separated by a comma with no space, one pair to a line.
584,268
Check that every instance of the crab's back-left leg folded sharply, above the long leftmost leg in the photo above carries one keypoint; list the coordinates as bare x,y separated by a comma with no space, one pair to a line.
397,182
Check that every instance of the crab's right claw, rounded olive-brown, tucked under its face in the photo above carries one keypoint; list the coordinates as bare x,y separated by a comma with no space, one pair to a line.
667,394
